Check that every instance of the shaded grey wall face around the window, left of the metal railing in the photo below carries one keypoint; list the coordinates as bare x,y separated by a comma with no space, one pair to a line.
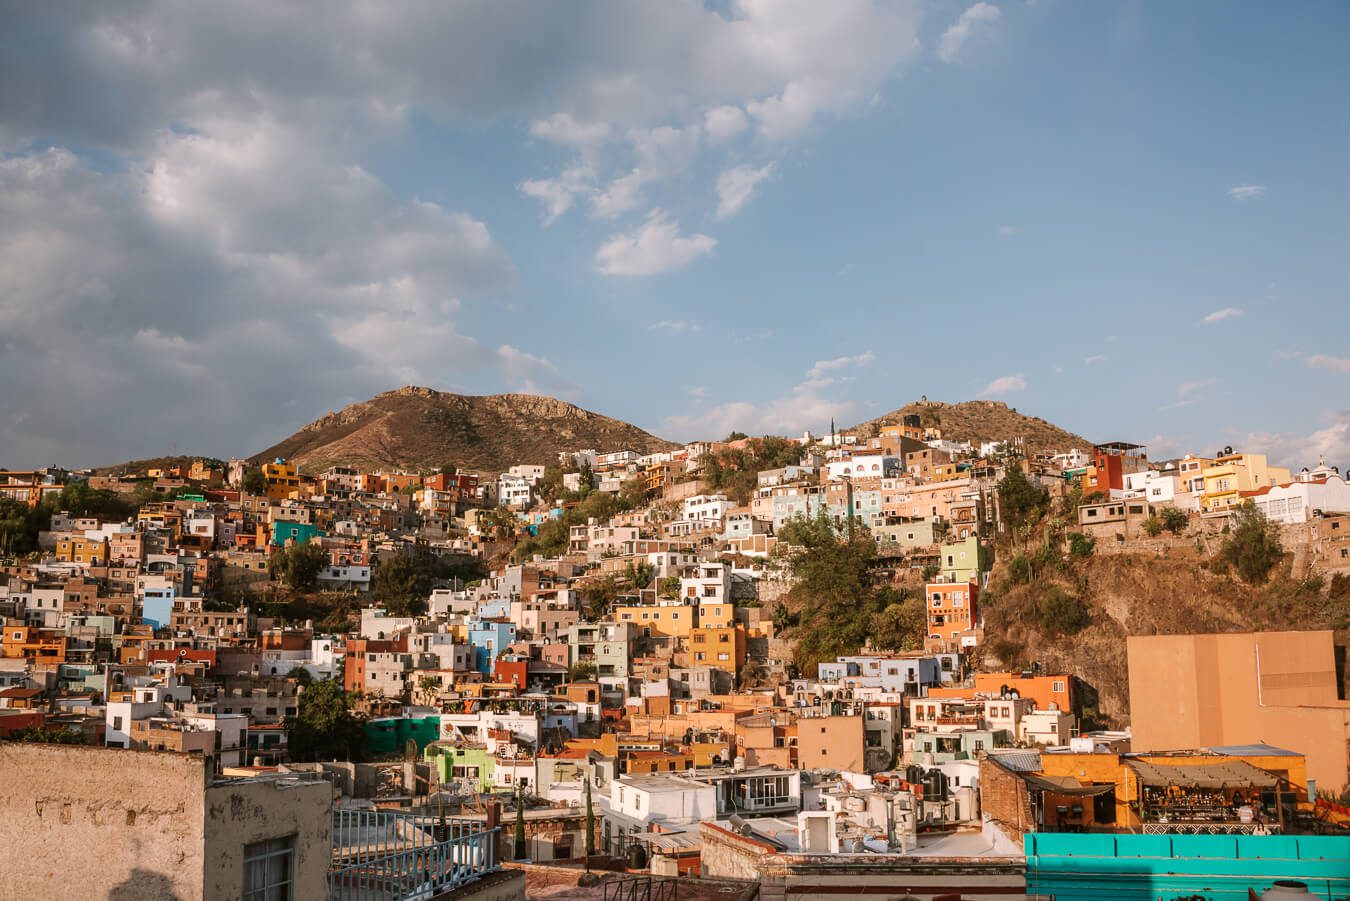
240,814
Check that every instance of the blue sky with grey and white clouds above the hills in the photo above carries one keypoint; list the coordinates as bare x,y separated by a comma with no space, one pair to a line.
219,222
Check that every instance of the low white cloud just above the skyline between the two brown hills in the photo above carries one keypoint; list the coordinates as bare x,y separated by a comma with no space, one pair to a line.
808,406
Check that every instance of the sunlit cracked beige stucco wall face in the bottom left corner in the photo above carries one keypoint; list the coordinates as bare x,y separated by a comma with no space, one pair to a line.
83,823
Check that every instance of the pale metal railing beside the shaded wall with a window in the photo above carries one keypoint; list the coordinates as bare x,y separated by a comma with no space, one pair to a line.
395,856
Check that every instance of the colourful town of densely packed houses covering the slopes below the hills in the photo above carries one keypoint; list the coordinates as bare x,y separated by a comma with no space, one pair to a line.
797,664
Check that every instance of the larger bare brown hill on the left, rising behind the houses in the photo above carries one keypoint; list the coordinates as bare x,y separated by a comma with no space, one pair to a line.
423,429
